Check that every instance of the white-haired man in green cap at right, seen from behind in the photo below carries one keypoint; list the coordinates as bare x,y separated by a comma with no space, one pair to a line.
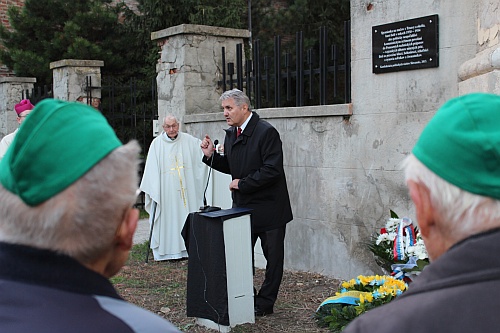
453,176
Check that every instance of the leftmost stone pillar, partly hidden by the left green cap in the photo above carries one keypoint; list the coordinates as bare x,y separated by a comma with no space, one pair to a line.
11,92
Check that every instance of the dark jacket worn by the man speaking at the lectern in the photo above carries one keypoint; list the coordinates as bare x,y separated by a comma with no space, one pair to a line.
256,158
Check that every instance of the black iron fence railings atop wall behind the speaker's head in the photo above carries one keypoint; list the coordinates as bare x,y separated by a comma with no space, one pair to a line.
319,76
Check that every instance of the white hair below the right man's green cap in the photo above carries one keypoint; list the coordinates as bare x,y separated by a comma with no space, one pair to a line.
463,213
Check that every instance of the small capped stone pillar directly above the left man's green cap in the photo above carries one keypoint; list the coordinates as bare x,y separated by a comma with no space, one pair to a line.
70,79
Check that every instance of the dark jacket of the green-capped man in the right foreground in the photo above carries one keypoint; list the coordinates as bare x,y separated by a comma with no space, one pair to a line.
458,292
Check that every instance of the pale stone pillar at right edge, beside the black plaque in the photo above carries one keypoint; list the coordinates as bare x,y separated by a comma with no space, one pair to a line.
482,73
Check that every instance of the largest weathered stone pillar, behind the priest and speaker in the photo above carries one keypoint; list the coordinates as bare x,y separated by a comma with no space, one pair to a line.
190,66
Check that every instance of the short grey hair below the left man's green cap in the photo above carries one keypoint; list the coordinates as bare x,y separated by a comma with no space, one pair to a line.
82,220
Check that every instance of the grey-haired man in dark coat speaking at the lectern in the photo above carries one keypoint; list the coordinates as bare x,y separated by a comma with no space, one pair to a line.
253,156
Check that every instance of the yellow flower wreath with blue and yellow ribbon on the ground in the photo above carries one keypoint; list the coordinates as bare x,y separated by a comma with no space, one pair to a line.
355,297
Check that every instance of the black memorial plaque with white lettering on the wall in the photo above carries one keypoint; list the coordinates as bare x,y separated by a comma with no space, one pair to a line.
406,45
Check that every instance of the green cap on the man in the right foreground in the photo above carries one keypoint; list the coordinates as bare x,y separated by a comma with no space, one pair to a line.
461,143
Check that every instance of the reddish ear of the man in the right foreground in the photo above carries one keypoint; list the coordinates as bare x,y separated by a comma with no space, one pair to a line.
420,196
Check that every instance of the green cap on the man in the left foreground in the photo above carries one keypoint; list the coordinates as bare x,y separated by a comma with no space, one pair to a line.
55,146
